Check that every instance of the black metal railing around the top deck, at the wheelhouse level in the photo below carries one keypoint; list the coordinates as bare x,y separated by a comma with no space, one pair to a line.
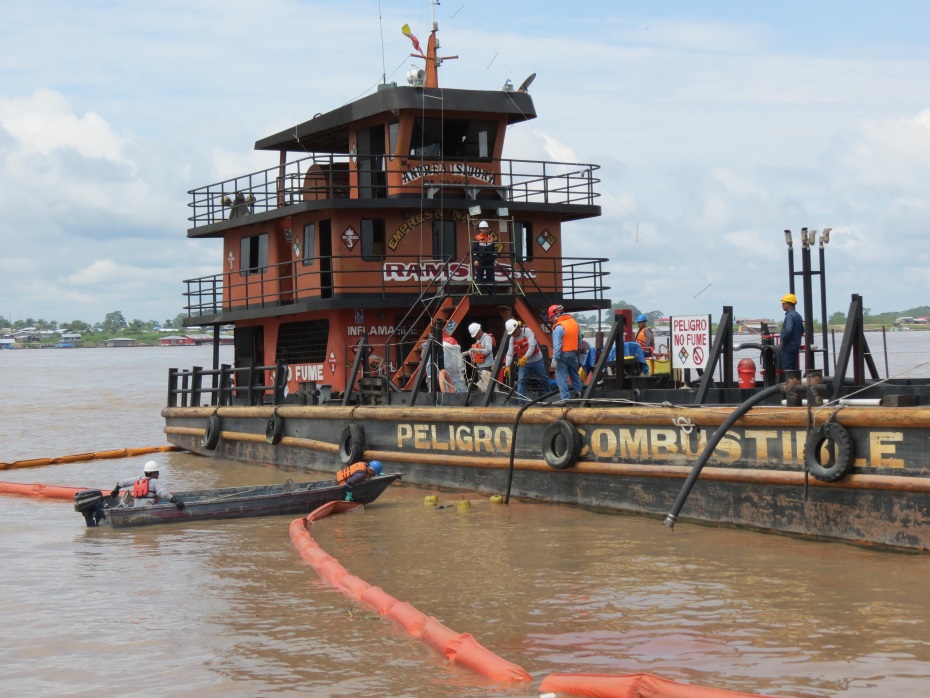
327,177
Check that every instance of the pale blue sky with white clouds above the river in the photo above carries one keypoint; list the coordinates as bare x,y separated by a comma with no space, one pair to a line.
716,125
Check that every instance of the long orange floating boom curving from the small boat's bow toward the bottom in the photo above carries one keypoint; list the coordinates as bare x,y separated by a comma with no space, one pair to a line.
458,648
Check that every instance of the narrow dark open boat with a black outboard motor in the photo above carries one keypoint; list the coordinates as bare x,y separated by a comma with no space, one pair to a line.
226,503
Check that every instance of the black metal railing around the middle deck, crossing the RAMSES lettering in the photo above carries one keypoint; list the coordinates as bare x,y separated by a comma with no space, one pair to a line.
333,277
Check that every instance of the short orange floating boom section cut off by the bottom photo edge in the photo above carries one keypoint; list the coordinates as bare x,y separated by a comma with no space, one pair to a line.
630,686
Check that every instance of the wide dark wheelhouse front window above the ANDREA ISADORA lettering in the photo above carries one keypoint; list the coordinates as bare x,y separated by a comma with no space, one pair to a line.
453,138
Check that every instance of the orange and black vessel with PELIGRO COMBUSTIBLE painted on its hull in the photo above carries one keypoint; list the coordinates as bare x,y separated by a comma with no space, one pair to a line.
346,265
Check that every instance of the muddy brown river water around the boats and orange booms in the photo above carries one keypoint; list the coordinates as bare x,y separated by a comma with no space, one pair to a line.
230,609
